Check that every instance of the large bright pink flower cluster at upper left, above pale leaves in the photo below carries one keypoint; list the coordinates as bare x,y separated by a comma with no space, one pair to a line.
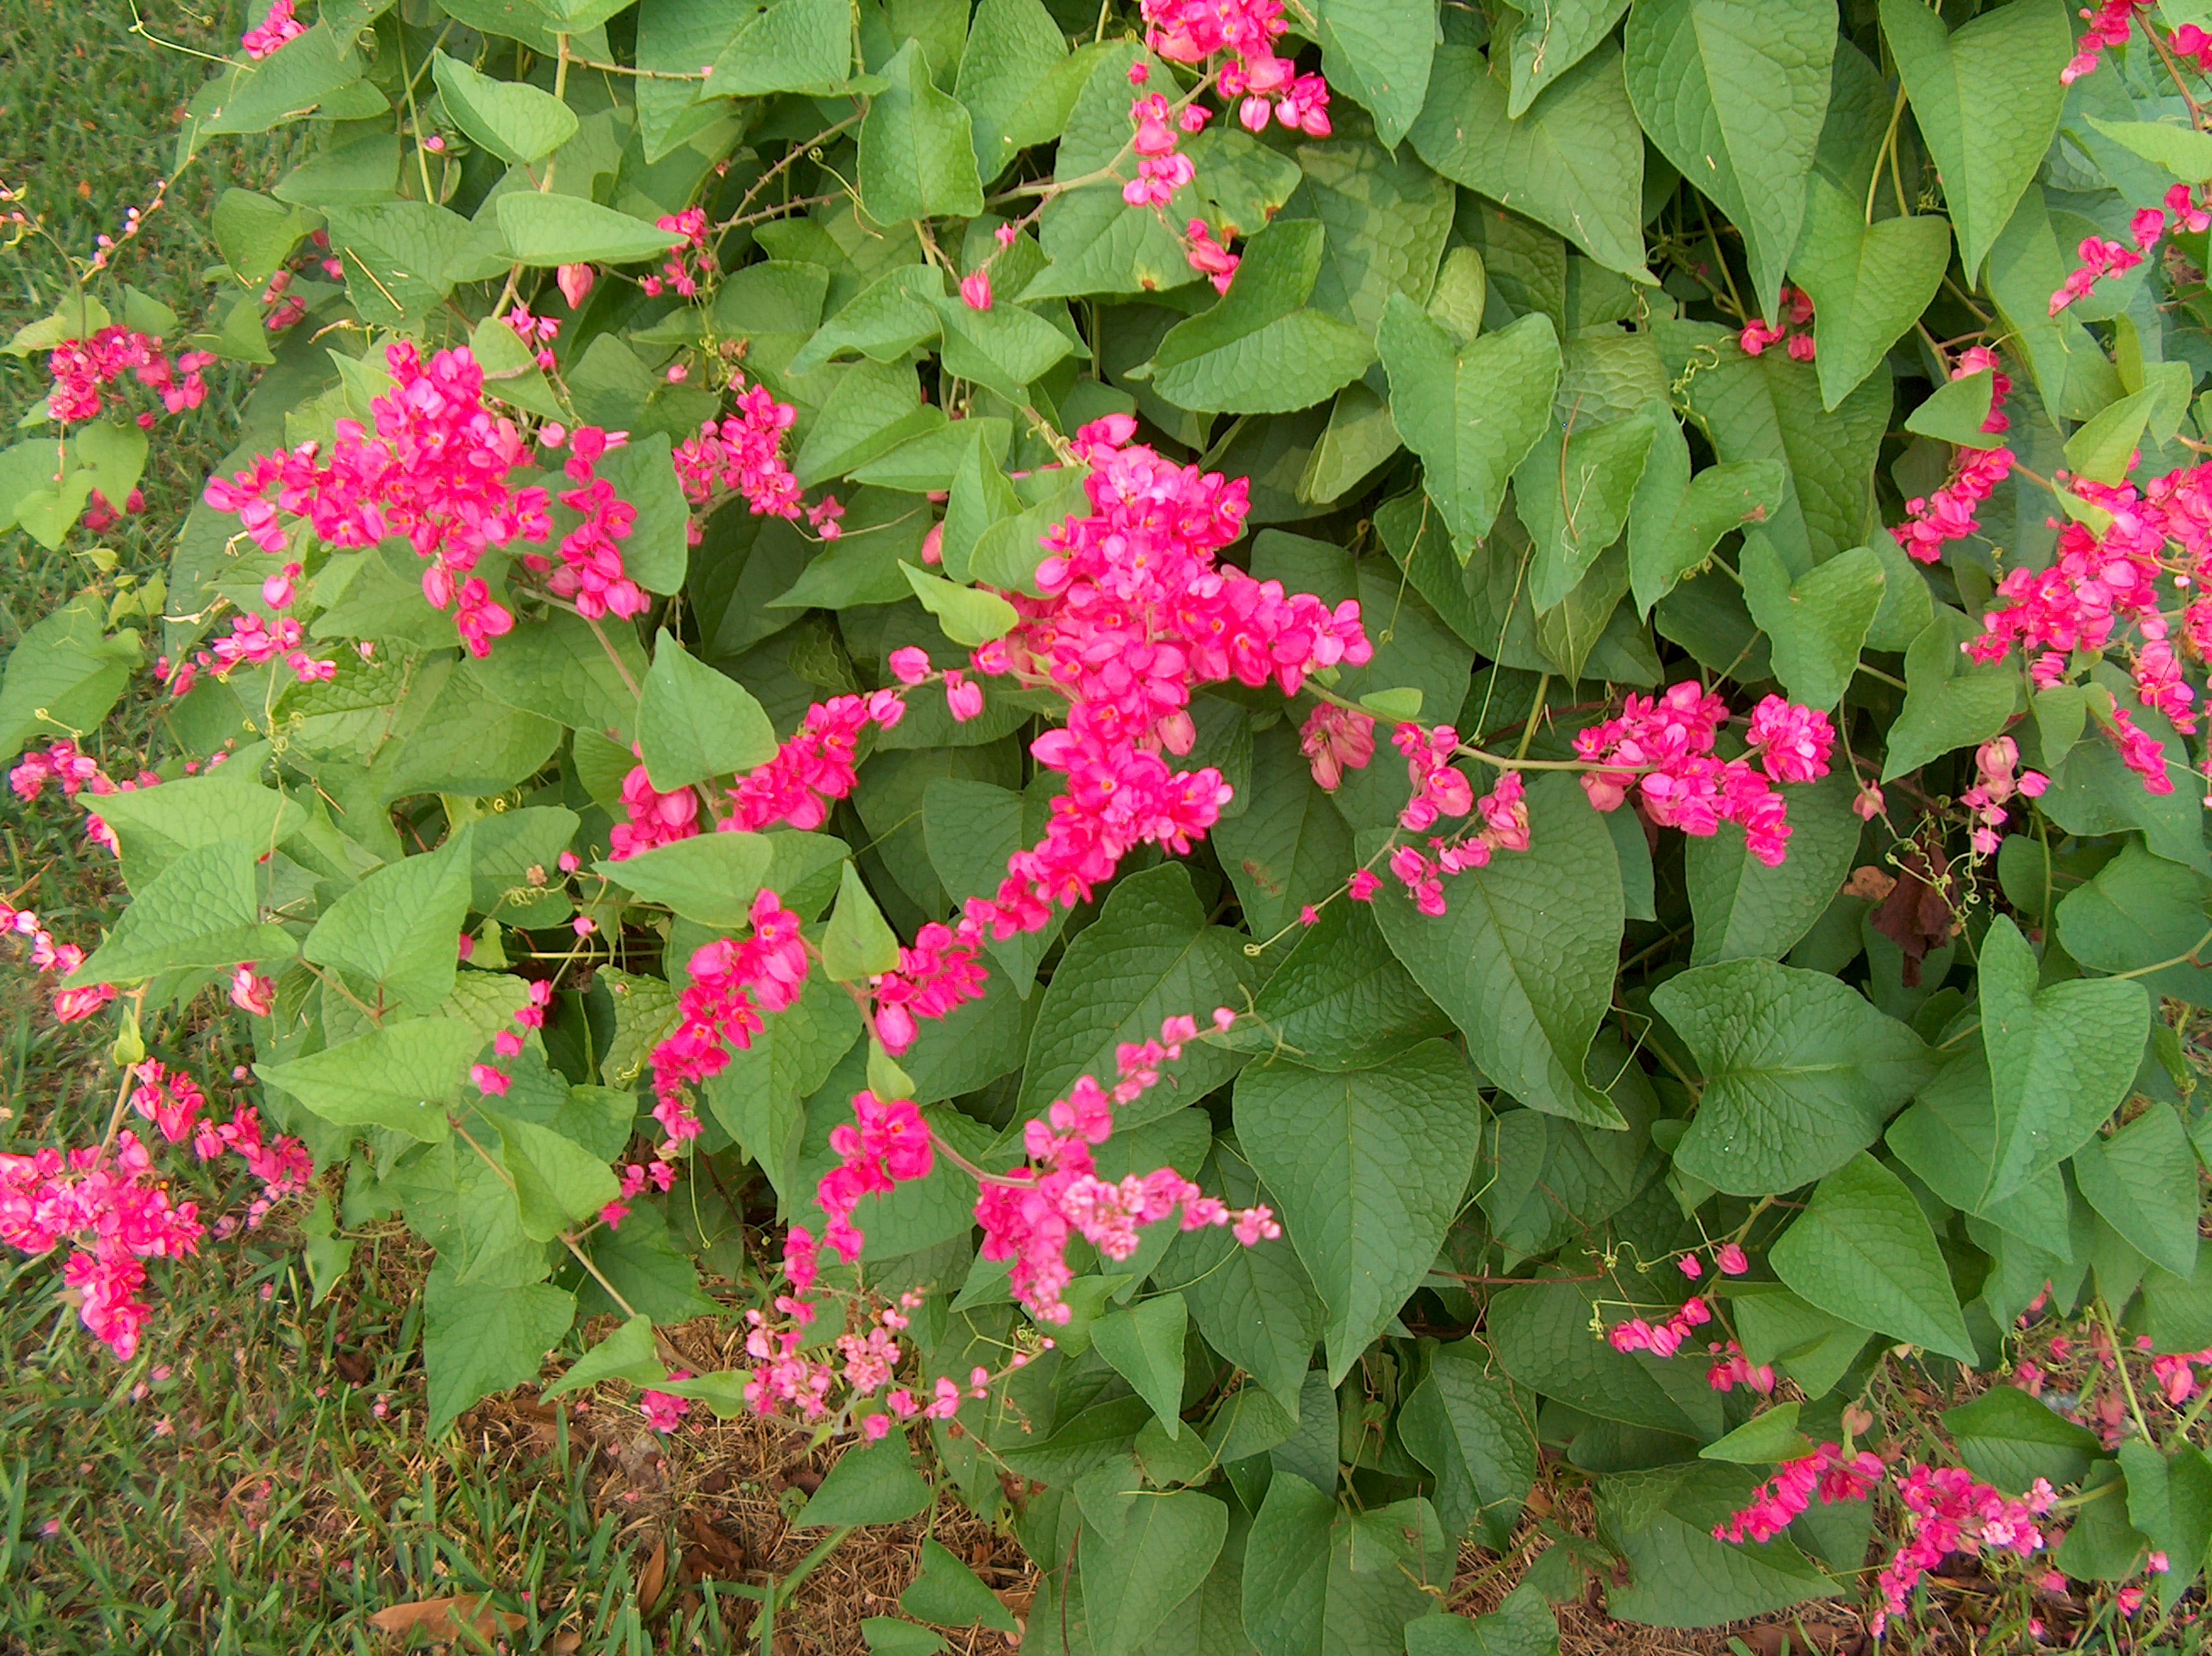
435,473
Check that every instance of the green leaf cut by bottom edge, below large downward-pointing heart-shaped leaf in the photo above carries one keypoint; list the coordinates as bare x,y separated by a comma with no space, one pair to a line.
1326,1582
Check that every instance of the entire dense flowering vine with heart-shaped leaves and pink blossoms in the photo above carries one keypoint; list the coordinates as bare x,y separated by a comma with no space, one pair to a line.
1269,767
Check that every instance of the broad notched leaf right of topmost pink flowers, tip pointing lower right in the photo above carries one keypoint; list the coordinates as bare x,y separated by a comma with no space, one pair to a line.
1574,161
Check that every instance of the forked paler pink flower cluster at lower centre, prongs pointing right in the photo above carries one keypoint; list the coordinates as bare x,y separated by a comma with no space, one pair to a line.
1032,1214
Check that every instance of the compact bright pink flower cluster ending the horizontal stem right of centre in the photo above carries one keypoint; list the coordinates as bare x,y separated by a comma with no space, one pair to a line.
1665,747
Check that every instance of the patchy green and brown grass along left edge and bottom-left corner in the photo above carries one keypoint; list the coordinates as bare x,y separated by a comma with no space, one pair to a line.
258,1478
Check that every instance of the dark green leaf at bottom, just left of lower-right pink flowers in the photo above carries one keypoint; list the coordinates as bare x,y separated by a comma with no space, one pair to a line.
1678,1573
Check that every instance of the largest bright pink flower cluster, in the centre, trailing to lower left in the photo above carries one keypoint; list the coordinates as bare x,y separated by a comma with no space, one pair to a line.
1136,614
